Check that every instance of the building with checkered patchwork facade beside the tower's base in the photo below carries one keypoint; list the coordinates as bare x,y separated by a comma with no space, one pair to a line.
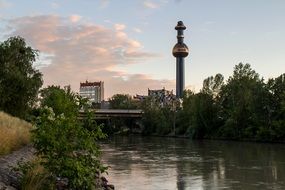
162,96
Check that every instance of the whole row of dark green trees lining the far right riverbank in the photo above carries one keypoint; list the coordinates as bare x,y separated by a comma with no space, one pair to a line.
243,107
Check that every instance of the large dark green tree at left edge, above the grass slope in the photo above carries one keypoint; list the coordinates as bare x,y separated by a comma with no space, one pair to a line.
19,81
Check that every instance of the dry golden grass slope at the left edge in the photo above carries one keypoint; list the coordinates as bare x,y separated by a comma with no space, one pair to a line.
14,133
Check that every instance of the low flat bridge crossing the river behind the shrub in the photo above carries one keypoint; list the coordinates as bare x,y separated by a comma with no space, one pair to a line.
111,113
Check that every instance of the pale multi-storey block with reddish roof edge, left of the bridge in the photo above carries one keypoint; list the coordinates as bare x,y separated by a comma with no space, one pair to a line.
93,91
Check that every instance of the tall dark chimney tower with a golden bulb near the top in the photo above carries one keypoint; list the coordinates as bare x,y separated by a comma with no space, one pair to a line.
180,50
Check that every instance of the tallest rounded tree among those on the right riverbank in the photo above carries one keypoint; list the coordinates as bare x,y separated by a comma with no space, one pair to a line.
243,104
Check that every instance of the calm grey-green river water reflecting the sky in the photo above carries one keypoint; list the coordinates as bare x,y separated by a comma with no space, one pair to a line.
155,163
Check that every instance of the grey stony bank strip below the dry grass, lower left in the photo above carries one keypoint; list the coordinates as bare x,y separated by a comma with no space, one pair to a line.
8,177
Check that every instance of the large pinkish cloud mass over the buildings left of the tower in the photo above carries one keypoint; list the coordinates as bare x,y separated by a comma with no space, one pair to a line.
75,51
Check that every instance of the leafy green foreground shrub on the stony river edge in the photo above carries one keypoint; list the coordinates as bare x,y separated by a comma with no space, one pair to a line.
68,150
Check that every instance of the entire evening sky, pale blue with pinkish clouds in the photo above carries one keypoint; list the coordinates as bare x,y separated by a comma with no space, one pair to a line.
128,43
